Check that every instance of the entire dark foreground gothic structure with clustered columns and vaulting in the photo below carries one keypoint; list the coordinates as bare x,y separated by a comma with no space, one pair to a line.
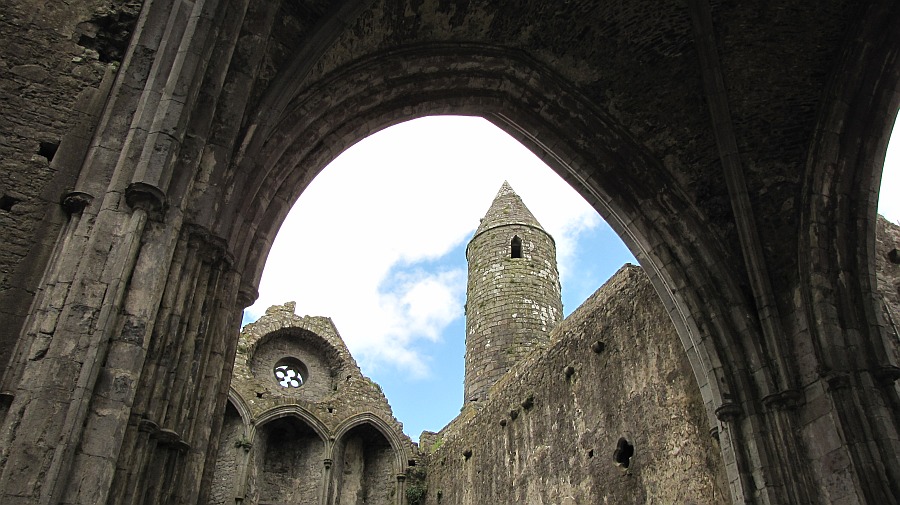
736,149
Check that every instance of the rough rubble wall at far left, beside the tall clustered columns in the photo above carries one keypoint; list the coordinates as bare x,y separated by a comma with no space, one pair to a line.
55,60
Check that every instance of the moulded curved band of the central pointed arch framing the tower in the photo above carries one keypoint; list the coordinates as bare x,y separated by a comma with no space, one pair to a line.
509,89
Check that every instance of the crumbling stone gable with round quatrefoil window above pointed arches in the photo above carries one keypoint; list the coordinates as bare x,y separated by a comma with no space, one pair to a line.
327,434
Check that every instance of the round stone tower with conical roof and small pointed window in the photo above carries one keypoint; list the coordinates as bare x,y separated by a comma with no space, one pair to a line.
513,295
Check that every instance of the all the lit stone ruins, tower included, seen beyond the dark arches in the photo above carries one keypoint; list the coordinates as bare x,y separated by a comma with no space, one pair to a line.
600,407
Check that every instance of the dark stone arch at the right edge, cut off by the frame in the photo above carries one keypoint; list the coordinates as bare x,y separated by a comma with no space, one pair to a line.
840,316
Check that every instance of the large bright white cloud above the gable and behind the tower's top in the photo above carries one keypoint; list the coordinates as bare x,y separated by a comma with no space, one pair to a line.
349,248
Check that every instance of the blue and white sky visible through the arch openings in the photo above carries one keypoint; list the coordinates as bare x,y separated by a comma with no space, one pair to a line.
377,243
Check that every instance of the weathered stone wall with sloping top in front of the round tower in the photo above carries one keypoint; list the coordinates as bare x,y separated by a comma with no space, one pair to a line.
614,376
